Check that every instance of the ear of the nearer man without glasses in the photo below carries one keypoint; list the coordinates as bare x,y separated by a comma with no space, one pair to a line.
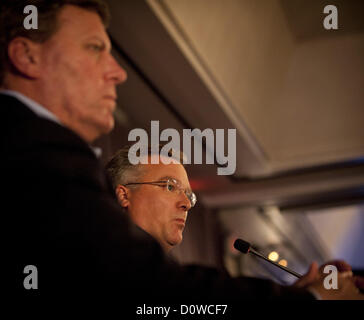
24,55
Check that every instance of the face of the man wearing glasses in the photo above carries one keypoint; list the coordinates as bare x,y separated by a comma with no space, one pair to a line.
156,210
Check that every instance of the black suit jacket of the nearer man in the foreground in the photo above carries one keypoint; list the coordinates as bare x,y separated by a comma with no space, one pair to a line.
60,215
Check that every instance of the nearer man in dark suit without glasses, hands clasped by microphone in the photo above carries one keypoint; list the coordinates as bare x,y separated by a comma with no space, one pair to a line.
58,94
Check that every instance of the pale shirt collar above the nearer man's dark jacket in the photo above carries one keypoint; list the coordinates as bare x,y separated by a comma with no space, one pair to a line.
42,112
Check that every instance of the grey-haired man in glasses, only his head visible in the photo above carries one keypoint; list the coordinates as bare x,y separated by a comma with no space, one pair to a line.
157,197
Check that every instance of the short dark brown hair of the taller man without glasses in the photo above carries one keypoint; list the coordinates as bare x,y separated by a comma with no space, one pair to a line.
12,17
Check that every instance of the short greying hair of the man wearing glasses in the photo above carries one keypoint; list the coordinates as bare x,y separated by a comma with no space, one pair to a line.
121,171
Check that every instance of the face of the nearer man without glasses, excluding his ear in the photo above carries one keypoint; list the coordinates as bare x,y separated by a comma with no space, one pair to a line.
80,73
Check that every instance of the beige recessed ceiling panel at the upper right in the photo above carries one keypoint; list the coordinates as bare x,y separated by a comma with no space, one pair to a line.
294,90
